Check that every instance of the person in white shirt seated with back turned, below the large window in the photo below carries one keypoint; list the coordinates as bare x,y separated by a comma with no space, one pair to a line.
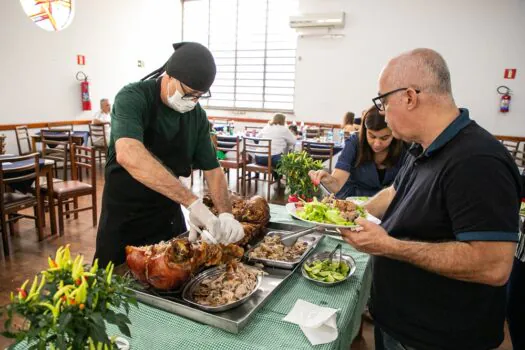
282,140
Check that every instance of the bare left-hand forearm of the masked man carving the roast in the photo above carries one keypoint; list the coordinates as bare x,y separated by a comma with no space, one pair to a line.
146,169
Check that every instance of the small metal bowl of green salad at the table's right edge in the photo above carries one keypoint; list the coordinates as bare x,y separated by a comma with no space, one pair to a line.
318,269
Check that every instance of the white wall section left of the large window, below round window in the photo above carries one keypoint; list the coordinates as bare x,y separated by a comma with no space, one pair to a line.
38,68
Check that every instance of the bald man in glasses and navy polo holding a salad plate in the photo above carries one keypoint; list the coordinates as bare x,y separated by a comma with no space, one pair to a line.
445,248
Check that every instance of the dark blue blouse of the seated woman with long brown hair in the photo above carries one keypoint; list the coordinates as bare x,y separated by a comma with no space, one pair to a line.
363,180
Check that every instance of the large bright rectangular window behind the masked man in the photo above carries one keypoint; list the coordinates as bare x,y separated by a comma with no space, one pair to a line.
254,50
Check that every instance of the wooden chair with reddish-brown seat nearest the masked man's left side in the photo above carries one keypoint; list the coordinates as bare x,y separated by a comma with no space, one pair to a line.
81,158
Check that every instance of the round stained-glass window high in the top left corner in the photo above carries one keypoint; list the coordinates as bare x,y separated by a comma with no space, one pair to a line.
51,15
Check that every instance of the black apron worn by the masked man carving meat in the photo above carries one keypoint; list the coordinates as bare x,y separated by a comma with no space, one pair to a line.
133,214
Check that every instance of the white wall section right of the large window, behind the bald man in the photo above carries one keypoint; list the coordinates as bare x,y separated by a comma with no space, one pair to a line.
478,38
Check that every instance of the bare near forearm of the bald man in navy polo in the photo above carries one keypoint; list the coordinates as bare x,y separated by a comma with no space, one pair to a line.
482,262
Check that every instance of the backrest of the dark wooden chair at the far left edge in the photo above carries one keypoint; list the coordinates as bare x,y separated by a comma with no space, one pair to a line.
22,168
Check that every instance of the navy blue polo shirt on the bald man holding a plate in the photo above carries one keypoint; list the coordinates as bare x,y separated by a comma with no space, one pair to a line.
464,187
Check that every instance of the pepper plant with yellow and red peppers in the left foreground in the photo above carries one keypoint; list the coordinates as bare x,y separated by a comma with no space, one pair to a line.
67,305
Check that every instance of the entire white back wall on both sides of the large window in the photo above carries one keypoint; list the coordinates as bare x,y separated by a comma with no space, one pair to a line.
478,38
